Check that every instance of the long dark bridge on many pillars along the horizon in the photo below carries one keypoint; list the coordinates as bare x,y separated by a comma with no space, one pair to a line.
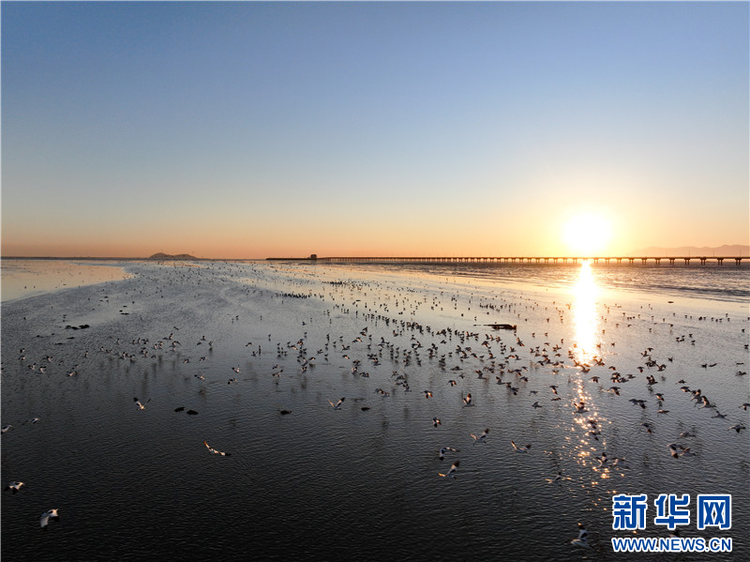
671,260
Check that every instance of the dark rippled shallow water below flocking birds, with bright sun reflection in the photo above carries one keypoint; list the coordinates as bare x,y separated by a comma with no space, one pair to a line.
319,483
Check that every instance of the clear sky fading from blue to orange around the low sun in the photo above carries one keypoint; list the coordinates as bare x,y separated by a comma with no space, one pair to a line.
257,129
